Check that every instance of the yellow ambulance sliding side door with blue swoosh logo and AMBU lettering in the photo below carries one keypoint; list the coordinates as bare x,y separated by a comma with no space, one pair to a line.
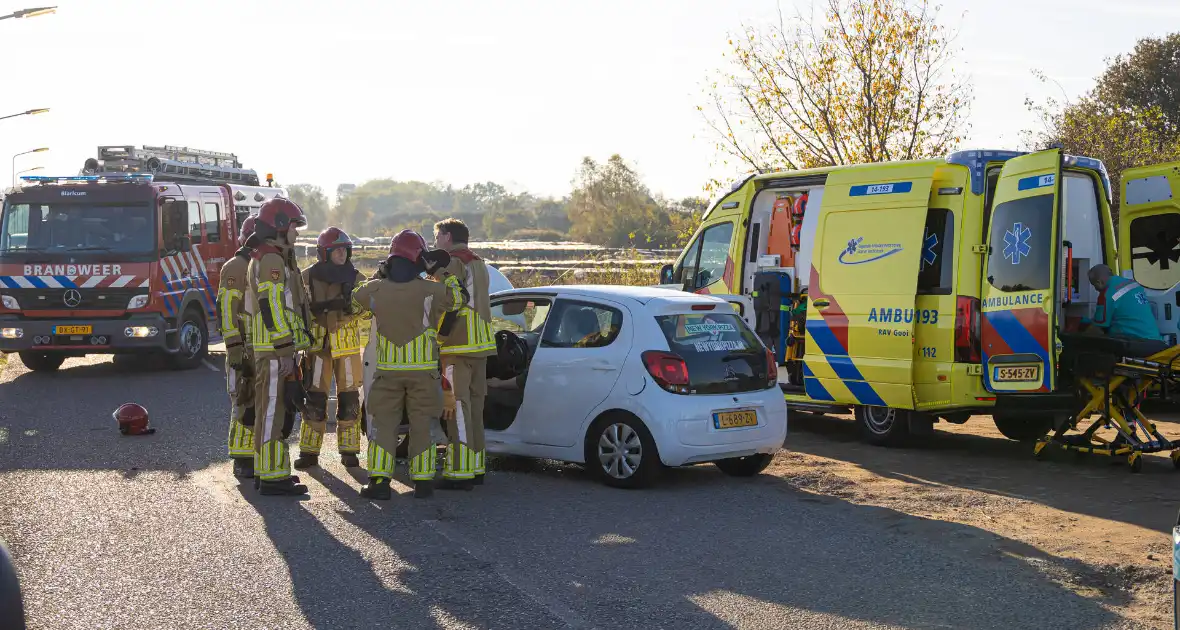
863,285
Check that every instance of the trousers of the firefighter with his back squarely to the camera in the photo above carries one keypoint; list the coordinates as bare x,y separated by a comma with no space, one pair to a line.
418,393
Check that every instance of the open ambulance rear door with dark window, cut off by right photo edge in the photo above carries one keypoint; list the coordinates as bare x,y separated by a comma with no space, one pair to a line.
1150,239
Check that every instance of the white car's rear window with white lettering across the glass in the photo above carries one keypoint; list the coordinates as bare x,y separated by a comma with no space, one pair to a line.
723,355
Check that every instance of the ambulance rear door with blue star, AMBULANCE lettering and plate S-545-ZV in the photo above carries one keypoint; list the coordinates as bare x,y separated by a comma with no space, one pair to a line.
1020,279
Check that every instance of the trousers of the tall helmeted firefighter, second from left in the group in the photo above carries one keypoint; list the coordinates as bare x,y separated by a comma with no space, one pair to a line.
272,460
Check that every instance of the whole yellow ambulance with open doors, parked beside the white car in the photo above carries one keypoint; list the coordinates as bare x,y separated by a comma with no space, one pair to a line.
916,292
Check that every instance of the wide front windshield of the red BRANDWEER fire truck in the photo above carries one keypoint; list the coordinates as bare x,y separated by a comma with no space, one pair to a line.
69,228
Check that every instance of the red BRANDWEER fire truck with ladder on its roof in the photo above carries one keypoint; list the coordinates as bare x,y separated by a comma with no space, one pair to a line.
123,259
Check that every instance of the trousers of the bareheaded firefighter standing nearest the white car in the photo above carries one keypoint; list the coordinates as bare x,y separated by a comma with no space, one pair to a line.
466,455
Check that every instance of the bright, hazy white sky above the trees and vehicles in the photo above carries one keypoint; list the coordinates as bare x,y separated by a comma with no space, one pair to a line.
466,91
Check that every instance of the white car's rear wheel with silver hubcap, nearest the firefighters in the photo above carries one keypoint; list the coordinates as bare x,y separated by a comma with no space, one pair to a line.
621,452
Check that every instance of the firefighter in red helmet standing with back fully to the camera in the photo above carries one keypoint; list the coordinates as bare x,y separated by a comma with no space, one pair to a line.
405,305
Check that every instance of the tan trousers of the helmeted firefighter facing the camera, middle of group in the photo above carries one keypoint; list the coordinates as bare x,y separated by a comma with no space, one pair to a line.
320,371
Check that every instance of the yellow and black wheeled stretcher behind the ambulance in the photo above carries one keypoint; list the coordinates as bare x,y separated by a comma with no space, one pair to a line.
1112,384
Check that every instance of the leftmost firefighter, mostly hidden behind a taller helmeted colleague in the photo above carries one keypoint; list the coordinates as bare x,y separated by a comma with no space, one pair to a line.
235,330
